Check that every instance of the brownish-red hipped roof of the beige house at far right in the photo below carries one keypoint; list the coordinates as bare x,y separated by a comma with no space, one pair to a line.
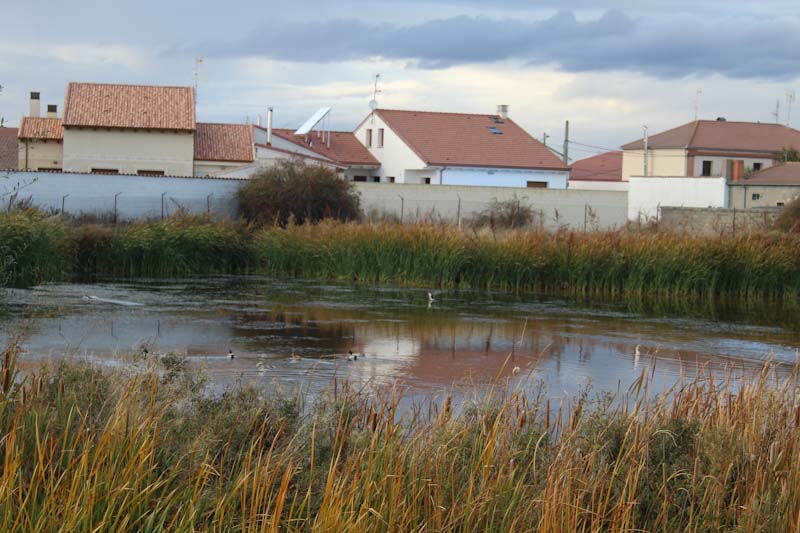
721,135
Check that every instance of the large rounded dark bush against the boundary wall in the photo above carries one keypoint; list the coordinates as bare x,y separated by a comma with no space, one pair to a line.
295,190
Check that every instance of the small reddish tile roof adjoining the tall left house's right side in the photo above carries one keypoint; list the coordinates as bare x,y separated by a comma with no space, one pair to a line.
223,142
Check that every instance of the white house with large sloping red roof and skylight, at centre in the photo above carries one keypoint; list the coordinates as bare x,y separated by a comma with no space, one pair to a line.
456,149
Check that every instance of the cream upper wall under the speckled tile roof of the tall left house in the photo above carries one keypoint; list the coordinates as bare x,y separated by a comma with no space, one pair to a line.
128,151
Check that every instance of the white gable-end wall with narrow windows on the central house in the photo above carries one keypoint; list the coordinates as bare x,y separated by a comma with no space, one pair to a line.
395,156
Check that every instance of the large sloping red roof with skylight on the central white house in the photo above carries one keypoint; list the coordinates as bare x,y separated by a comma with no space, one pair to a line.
445,139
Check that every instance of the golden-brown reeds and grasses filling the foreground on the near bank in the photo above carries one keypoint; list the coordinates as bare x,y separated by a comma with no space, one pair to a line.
87,450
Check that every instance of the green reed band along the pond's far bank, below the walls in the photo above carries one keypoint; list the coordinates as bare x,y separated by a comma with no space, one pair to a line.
626,263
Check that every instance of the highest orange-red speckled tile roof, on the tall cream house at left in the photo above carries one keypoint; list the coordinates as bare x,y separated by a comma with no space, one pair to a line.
129,106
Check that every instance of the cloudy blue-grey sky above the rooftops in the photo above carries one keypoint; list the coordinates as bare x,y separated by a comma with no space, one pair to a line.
609,67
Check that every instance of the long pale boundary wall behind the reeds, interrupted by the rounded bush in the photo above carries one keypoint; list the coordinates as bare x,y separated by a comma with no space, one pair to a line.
141,197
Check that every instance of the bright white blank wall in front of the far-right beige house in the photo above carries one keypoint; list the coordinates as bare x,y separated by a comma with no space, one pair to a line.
646,195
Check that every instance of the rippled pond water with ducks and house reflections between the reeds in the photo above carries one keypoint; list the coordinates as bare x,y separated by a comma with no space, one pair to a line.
300,333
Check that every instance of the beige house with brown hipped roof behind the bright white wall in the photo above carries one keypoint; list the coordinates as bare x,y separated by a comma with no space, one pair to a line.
709,148
